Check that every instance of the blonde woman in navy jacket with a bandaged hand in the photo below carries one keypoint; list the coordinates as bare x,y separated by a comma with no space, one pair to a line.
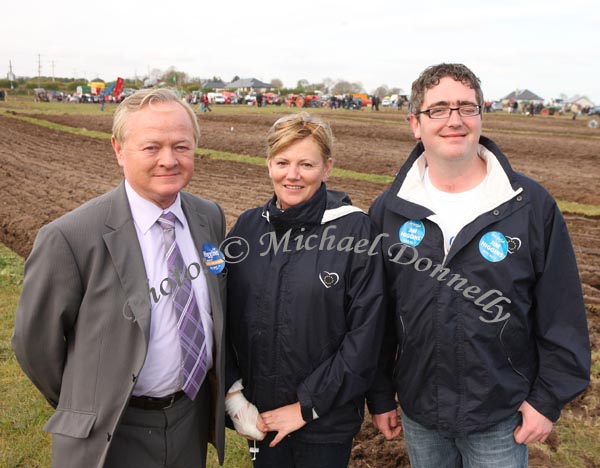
305,308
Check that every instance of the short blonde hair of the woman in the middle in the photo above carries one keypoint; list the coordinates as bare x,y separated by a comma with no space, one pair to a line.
292,128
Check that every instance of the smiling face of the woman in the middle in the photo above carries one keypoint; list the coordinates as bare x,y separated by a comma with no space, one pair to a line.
297,172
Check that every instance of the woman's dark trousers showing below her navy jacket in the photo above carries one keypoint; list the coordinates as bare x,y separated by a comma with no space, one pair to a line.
293,453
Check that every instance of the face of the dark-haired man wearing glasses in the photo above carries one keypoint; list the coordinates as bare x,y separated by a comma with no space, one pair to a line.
454,138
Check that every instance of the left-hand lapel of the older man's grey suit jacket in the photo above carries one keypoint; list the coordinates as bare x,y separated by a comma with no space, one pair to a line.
124,249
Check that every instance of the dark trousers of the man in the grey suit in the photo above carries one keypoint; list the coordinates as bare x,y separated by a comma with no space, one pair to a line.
171,438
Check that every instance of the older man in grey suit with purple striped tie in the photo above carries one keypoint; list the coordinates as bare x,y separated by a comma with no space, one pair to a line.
120,323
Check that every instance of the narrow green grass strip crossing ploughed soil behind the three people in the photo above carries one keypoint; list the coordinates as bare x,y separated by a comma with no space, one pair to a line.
564,205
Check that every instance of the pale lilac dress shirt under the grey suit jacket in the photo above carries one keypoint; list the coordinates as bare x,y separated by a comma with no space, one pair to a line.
161,374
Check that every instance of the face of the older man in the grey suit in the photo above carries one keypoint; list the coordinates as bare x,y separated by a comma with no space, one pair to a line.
157,151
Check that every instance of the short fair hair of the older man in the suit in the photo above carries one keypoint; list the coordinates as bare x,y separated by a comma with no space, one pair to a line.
149,97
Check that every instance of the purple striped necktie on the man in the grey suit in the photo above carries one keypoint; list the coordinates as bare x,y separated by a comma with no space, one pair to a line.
189,325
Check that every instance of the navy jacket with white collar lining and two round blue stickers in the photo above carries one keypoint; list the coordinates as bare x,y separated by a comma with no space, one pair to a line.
496,320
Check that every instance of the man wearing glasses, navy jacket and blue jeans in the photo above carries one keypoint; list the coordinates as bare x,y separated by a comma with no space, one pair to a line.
488,335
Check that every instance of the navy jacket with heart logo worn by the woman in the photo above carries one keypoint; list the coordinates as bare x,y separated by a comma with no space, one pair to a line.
306,311
